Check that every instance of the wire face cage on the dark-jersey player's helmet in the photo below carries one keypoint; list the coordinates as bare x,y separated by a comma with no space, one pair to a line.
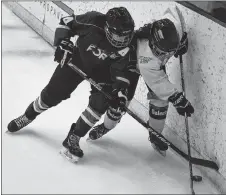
117,40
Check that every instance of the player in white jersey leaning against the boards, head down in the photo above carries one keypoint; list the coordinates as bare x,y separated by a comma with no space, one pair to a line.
156,43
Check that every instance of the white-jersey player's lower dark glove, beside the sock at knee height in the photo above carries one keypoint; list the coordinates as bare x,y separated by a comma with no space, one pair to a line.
181,104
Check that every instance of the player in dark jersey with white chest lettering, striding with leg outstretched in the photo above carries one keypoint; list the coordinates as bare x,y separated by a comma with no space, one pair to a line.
102,51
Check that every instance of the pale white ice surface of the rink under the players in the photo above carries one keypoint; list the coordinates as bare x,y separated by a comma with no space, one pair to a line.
121,162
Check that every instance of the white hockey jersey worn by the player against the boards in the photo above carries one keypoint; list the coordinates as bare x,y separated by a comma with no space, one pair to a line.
149,66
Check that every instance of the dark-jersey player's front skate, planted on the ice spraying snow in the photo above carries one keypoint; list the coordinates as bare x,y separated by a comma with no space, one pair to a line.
72,150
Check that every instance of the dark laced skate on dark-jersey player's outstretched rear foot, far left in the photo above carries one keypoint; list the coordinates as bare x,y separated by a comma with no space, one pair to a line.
18,123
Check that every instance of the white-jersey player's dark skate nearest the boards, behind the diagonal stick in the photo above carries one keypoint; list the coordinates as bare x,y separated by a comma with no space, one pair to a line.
158,144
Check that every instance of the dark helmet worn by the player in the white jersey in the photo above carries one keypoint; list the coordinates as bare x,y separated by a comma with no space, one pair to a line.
164,39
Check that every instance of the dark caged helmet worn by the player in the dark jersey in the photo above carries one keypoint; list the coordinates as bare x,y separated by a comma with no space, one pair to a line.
119,27
